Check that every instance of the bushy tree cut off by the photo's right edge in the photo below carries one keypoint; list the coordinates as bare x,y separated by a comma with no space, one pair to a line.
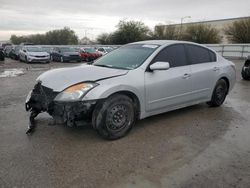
238,31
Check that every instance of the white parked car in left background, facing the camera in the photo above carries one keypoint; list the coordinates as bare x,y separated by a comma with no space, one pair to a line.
30,54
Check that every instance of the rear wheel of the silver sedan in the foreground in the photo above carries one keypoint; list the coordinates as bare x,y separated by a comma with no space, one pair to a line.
219,93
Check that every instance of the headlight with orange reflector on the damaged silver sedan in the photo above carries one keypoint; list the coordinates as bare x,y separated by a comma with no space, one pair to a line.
75,92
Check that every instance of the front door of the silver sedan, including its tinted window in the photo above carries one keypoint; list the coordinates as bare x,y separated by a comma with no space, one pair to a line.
172,87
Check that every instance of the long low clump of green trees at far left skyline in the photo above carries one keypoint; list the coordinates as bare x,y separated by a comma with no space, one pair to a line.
63,36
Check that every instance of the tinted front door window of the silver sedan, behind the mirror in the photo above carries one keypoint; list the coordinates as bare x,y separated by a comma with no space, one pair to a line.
174,54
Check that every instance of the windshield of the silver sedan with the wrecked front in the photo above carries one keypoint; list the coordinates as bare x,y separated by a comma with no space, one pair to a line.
127,57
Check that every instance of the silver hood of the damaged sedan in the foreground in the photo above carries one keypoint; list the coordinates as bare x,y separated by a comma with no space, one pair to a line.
60,79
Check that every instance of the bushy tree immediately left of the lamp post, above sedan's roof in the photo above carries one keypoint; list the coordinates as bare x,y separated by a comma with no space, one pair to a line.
168,32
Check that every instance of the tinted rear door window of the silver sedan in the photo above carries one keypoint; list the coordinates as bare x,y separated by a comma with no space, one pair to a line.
198,54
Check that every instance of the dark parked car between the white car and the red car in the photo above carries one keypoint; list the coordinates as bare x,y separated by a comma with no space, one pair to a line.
65,54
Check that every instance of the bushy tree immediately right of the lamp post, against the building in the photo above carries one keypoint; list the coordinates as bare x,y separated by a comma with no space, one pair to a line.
201,33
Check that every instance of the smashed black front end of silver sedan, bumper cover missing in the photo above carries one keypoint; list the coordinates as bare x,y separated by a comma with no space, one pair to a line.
41,99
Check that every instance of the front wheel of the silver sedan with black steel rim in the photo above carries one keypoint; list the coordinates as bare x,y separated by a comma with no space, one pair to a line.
115,117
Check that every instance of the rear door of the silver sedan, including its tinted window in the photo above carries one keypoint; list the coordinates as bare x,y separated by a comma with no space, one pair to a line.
205,71
